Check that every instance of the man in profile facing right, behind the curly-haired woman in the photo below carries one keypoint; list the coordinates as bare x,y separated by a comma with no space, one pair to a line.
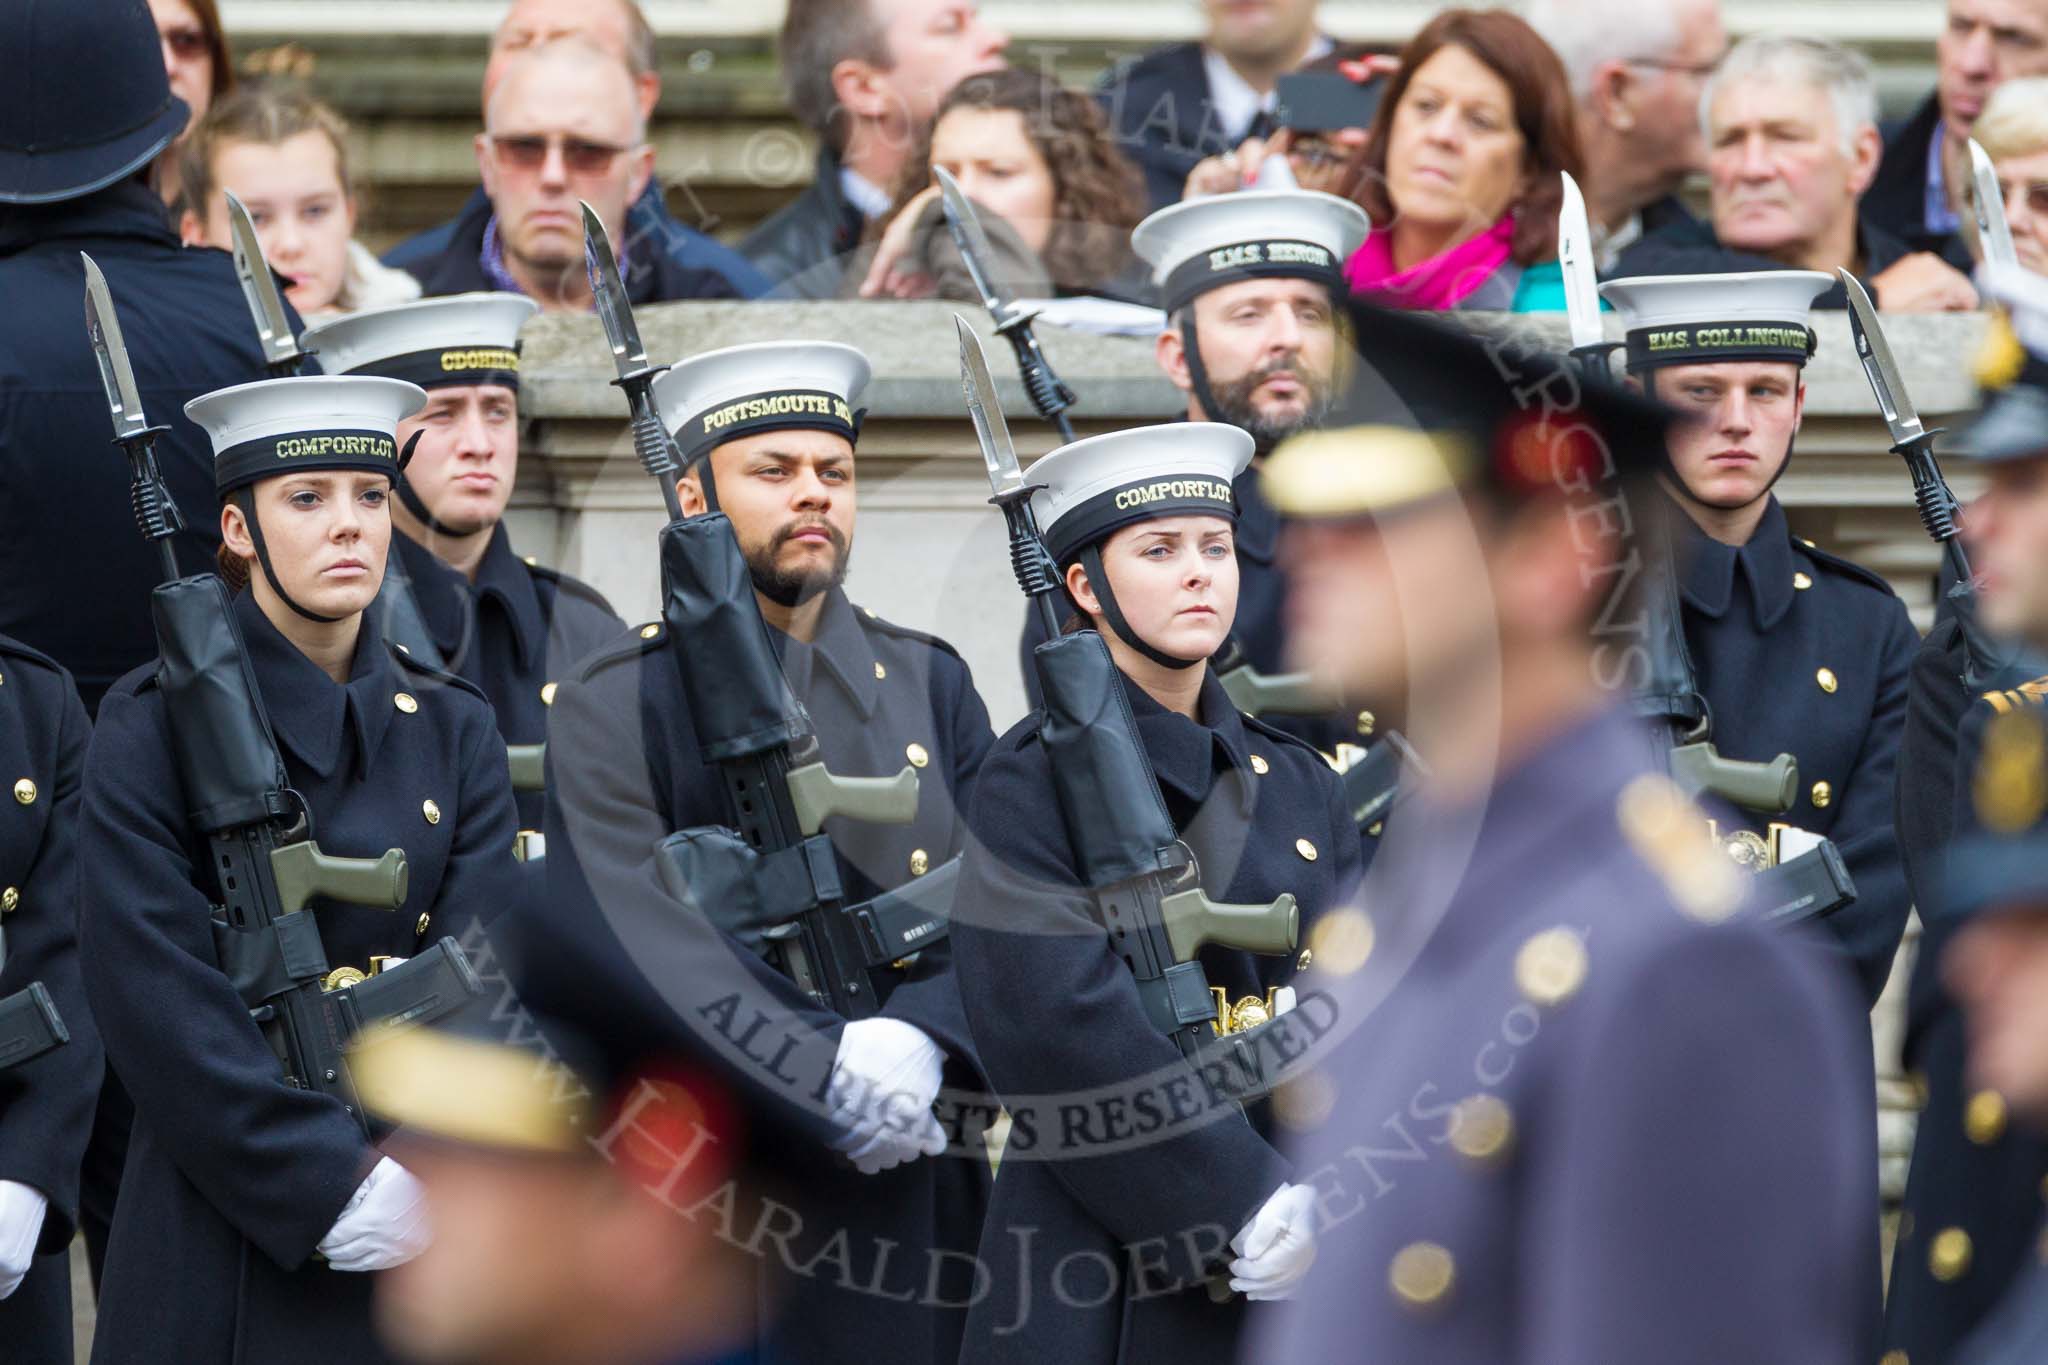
865,77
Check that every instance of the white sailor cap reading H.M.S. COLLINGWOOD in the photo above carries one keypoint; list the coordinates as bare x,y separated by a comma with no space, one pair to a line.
1707,318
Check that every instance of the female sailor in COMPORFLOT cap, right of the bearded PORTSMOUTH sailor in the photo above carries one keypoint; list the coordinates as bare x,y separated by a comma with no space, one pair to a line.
1140,525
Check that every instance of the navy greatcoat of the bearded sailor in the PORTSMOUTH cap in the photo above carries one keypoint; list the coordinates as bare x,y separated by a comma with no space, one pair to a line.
847,1258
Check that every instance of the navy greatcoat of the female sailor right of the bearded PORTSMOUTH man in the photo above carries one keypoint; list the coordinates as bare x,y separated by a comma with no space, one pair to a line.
1115,1163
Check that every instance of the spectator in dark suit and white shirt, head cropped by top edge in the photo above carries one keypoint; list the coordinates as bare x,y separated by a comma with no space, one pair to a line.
1189,101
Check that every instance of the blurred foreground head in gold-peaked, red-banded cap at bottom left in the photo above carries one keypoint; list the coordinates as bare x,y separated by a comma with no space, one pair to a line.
560,1174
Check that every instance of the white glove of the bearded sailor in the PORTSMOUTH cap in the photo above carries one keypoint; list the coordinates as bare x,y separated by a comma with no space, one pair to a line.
884,1084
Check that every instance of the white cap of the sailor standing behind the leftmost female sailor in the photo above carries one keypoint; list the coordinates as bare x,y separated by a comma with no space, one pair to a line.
435,343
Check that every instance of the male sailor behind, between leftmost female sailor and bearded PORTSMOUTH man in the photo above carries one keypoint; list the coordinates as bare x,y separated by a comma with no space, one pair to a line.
456,592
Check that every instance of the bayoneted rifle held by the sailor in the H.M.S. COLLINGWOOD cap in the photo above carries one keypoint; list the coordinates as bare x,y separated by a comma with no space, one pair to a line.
1809,885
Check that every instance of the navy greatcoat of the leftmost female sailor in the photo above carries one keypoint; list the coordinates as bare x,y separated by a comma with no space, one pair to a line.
234,1178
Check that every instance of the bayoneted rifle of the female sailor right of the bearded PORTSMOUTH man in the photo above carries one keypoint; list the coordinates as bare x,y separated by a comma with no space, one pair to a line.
1140,873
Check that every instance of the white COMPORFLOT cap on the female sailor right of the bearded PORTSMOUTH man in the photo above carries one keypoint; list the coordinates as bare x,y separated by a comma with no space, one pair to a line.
1105,484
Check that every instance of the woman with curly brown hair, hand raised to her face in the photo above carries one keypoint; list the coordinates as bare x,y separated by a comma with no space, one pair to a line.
1056,195
